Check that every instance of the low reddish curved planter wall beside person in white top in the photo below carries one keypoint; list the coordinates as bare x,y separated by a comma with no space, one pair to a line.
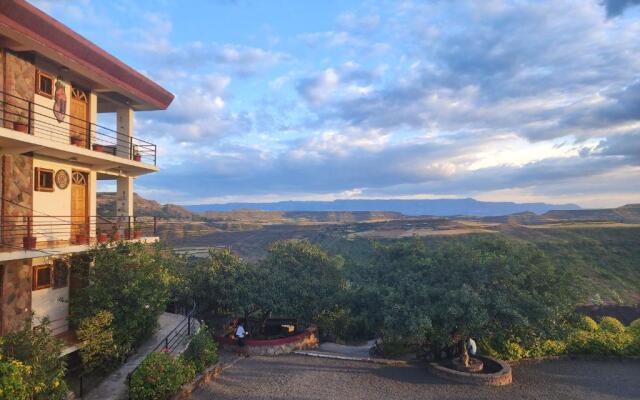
306,339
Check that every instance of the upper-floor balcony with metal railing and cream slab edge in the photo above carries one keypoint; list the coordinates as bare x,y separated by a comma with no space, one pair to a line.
30,127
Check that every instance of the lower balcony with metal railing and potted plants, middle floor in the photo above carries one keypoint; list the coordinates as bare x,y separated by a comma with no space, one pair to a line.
49,235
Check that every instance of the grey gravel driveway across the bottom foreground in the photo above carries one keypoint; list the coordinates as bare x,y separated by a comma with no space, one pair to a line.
300,377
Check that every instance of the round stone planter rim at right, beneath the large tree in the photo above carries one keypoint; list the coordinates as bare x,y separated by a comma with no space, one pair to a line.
498,373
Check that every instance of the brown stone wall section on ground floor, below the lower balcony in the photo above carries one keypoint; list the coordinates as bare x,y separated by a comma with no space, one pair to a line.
15,295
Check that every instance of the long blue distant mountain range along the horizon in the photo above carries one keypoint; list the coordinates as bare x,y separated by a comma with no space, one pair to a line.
436,207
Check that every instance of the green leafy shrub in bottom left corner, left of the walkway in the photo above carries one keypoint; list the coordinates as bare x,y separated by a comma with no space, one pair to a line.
40,351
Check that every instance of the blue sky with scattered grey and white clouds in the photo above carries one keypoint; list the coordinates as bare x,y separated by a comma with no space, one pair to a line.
496,100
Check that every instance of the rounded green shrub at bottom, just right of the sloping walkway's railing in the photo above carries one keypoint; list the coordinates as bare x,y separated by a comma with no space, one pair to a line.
159,376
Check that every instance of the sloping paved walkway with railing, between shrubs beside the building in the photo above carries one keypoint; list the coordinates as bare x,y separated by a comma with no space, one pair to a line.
114,387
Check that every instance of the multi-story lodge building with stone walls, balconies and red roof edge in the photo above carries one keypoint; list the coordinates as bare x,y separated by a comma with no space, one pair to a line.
53,85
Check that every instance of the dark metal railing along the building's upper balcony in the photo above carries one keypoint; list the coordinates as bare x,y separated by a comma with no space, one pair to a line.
35,119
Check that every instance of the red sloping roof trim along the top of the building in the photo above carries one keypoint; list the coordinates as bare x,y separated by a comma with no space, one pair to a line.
30,21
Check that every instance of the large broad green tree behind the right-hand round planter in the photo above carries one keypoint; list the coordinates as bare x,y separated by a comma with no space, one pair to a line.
442,296
